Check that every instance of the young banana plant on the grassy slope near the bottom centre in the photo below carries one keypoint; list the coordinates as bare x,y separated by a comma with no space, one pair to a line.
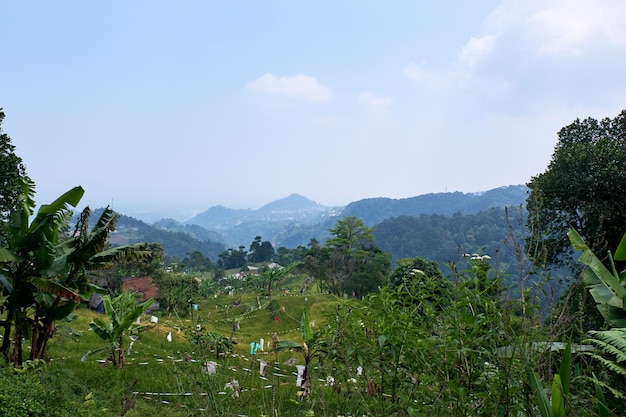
312,347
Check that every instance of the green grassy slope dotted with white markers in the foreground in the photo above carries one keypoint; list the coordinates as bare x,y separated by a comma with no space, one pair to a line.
170,379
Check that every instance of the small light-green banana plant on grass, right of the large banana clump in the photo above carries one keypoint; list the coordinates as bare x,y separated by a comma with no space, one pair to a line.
122,312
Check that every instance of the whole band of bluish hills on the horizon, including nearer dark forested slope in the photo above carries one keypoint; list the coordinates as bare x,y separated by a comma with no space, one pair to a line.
432,226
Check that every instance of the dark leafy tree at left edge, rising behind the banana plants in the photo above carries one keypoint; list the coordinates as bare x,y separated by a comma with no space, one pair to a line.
11,170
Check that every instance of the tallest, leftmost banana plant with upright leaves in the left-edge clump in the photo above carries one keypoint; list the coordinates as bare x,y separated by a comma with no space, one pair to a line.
29,264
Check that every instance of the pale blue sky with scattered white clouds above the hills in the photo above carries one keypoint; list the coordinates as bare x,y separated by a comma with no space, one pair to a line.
169,108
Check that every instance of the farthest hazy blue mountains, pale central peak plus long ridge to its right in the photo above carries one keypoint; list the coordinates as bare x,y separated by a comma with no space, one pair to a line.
294,220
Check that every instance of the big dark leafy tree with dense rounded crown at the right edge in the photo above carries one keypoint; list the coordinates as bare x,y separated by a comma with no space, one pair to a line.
583,187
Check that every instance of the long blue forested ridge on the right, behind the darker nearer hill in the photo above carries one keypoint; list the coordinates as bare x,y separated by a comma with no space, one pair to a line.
375,210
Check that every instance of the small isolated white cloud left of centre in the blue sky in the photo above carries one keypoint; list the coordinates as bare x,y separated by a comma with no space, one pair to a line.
297,86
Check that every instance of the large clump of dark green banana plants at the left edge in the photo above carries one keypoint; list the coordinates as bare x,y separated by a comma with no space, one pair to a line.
43,272
